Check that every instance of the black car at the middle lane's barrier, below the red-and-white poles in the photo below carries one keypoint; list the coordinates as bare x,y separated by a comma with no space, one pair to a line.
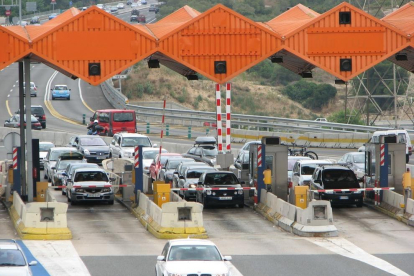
220,179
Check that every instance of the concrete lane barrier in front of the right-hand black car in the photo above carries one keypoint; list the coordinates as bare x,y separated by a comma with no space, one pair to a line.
314,221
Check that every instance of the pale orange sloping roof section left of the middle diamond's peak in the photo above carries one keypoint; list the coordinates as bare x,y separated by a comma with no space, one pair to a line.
172,21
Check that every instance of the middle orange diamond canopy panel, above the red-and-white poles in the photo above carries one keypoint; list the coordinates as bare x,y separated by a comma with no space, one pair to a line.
220,44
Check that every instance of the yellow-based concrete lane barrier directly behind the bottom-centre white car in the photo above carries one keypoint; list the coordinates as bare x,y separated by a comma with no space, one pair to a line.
174,220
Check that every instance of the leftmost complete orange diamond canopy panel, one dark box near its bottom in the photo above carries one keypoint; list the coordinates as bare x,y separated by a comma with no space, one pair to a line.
93,38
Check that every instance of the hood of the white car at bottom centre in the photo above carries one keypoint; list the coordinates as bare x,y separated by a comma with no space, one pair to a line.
199,267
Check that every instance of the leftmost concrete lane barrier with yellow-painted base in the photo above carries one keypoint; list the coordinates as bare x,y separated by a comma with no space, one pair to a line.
40,220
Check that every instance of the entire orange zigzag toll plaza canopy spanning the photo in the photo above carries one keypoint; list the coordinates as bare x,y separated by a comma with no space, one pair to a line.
219,44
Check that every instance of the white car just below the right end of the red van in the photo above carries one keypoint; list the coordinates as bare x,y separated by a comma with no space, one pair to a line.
122,144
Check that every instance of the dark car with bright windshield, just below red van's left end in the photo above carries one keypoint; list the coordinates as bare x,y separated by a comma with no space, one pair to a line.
93,147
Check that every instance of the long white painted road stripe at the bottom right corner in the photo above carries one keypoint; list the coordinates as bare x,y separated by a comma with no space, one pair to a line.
347,249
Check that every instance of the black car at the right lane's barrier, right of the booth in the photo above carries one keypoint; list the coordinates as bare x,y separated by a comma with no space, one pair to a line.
329,177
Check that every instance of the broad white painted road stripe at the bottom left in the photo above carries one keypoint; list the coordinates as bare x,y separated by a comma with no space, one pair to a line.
58,257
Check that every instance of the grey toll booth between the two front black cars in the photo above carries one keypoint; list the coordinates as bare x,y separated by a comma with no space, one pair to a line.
273,155
